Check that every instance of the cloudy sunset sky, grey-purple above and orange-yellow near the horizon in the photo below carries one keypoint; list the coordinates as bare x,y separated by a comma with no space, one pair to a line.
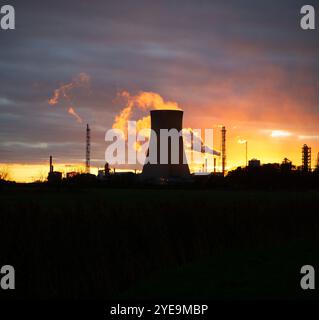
240,63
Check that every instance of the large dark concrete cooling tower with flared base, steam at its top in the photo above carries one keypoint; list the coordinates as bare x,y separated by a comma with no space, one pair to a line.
166,119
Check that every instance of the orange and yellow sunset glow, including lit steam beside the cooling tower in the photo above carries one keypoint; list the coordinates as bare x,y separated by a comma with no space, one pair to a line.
273,122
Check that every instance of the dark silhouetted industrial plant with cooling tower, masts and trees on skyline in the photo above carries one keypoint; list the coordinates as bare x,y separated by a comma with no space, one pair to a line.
172,171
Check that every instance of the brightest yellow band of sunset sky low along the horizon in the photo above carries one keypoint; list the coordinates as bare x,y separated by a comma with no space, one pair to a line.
265,147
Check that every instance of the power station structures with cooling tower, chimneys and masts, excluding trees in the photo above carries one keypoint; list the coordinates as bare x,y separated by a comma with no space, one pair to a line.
171,149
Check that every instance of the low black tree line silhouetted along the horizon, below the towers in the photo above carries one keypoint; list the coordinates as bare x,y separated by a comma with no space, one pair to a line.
267,176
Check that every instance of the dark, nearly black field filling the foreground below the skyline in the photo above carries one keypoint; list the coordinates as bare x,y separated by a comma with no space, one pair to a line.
111,243
